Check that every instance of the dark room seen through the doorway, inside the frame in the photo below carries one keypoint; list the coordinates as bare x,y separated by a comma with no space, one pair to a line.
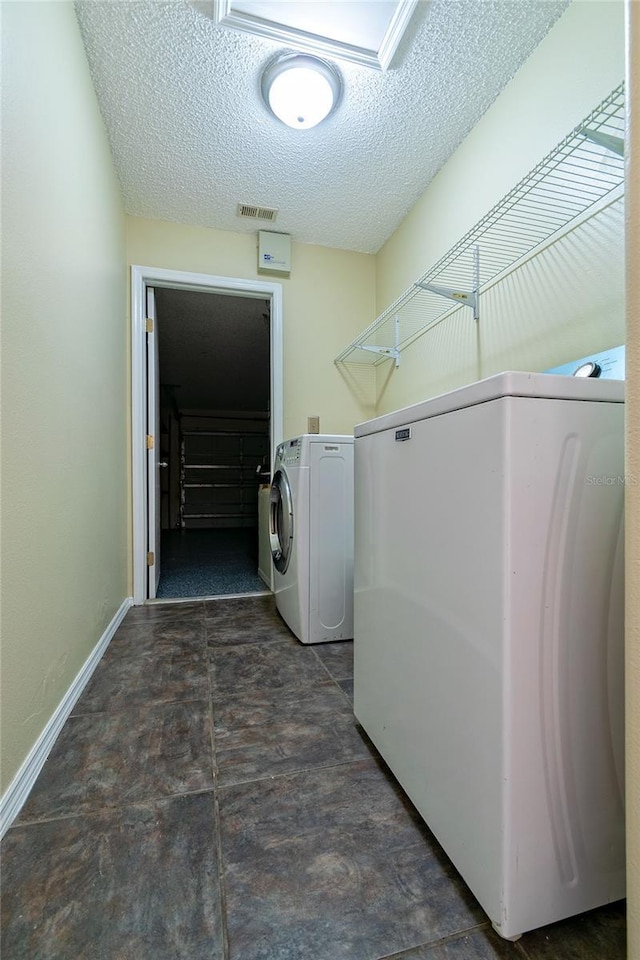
214,401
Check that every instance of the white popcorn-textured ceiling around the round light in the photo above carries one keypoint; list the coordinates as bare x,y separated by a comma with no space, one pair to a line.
191,137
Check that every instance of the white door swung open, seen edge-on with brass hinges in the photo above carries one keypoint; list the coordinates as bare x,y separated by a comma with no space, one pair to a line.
153,448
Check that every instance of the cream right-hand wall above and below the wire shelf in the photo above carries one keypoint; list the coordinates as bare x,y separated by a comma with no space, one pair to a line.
545,314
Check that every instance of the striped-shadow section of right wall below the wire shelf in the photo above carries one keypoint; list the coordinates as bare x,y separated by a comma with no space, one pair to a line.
564,303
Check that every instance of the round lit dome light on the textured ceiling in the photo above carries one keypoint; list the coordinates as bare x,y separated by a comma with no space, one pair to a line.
300,90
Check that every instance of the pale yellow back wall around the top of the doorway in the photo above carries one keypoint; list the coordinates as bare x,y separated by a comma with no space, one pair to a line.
327,299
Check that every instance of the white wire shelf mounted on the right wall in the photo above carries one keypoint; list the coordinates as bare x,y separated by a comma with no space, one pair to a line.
582,173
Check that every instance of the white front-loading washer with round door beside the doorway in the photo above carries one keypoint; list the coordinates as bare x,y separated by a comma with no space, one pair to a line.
311,533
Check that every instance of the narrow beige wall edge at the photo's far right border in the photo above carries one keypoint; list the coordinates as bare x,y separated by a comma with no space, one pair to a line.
632,532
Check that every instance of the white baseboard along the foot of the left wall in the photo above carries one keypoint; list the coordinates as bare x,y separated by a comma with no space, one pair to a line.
18,790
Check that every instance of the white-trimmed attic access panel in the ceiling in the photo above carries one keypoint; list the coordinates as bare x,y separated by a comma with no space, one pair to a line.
366,34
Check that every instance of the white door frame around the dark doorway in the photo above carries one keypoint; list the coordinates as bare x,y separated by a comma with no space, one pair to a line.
141,278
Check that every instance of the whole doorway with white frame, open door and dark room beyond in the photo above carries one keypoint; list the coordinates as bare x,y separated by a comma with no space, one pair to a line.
207,390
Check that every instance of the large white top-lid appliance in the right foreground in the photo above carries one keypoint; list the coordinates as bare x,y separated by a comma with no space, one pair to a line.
489,633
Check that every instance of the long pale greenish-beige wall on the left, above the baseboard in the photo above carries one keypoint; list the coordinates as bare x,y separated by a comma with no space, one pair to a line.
64,547
